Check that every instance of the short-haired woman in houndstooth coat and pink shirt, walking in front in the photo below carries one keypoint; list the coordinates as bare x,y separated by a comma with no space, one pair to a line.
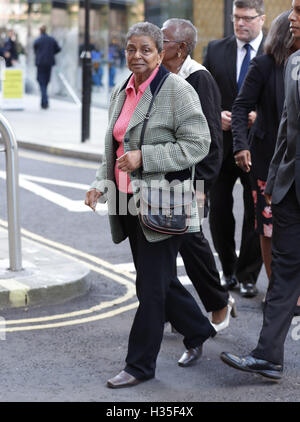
176,138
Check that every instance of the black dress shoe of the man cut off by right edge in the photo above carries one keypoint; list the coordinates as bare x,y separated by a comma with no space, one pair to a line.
251,364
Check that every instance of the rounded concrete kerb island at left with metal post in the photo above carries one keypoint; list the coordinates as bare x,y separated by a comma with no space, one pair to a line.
47,277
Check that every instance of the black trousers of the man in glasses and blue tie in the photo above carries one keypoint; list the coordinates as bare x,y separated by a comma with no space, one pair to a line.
247,266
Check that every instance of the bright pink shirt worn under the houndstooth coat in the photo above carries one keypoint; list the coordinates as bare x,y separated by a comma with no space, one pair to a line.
120,128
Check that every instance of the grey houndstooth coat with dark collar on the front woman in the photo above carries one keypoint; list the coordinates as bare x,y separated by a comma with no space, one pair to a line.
177,137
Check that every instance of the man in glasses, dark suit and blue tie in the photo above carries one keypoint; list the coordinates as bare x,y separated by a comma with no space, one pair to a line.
228,60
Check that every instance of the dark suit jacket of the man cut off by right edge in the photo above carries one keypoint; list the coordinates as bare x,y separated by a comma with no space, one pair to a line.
285,165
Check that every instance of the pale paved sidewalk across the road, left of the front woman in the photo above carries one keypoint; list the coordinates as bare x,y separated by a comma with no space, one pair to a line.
57,130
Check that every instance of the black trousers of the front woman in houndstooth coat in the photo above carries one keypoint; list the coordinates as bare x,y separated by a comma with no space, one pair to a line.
161,298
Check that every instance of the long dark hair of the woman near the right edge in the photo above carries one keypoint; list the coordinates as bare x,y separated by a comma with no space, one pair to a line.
279,40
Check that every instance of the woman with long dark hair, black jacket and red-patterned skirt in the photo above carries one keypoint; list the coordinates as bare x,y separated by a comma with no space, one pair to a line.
263,91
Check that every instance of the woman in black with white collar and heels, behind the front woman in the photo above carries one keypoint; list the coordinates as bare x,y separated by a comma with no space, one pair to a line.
180,38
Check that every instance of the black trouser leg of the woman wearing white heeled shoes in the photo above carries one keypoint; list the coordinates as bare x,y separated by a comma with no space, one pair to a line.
201,268
